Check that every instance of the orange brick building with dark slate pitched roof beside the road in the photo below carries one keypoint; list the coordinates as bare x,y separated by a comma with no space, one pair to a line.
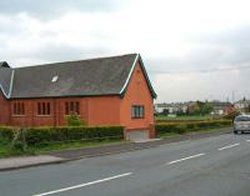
102,91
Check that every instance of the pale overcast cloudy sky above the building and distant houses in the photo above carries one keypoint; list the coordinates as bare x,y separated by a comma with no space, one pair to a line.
192,50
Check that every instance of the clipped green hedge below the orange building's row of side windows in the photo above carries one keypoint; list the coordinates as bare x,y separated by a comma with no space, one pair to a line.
34,136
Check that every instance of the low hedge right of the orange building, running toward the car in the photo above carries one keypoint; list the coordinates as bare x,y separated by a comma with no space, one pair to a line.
182,127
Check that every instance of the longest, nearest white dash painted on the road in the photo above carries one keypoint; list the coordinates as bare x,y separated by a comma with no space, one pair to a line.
83,185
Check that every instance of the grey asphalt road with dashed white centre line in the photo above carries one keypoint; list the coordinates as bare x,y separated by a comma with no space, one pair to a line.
204,167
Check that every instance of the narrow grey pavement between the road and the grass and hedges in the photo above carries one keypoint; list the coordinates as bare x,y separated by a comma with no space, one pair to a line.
76,154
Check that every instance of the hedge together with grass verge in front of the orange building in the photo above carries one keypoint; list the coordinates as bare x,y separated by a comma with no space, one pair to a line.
31,141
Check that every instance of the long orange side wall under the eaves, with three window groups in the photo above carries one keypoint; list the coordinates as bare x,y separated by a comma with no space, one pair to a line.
93,110
